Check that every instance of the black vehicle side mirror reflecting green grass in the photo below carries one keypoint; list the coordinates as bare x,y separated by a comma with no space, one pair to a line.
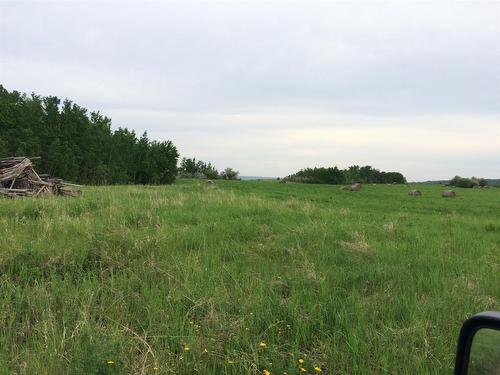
478,350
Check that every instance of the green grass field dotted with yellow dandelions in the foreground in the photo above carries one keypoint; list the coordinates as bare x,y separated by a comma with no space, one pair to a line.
244,278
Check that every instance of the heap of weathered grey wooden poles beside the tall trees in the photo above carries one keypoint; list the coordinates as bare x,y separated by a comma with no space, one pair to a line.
18,178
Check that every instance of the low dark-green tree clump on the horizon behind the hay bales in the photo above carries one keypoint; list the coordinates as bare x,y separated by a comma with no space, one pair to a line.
336,176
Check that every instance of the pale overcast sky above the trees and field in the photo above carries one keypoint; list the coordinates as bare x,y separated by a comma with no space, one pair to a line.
270,88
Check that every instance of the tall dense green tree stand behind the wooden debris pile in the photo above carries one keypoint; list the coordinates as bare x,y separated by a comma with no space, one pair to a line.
80,146
